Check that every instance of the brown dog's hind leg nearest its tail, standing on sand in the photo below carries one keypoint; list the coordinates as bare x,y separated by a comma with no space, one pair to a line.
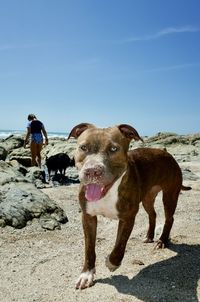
170,200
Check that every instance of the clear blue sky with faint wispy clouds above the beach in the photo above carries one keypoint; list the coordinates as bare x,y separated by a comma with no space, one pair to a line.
101,61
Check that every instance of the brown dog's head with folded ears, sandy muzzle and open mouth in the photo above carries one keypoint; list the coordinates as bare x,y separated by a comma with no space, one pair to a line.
101,156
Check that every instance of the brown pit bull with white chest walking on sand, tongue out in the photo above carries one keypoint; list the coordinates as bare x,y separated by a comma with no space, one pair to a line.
113,181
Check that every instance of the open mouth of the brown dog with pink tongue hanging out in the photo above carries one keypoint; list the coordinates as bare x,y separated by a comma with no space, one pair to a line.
95,191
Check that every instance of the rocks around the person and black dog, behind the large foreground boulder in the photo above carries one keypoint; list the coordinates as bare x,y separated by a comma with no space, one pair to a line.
13,151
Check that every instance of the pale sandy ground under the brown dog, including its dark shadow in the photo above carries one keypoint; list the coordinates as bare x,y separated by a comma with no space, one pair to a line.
39,265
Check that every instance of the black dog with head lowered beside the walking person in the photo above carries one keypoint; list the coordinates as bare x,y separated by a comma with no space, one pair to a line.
59,162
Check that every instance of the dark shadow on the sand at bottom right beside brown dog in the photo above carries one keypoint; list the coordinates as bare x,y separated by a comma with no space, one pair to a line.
174,279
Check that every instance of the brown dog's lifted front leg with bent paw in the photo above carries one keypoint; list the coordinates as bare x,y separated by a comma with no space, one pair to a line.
113,261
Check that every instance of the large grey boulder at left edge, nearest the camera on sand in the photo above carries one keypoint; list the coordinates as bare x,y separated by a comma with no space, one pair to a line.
21,201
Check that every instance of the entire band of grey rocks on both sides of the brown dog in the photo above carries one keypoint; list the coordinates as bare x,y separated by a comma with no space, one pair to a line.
20,197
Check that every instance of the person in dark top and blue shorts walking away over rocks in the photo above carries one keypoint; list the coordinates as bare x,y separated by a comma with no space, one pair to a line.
35,131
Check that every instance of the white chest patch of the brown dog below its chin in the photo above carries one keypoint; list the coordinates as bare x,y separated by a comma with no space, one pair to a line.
107,205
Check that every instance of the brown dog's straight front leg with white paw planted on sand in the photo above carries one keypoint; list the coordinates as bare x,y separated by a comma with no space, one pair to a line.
87,276
